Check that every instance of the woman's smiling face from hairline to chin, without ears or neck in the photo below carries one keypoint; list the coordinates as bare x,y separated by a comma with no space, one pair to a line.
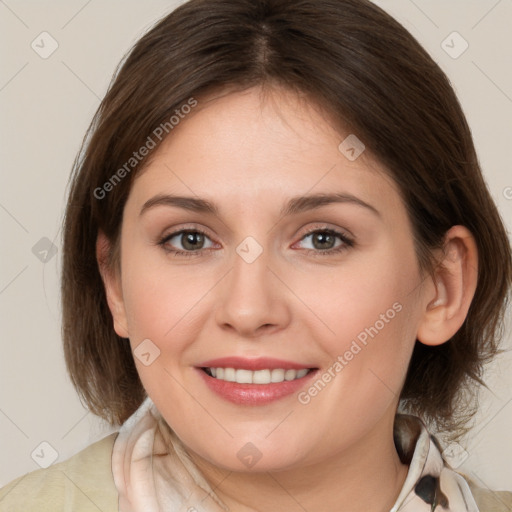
257,286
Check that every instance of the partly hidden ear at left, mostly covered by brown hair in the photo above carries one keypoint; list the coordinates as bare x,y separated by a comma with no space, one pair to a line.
112,282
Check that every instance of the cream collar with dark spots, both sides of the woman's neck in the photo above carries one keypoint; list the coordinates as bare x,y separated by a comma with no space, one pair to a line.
152,470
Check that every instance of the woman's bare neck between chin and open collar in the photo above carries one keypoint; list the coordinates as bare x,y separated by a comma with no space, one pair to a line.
366,477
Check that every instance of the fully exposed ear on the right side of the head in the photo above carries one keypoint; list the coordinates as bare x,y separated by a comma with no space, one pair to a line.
448,298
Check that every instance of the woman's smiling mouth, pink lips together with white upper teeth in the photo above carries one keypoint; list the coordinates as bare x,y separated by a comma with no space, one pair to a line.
253,382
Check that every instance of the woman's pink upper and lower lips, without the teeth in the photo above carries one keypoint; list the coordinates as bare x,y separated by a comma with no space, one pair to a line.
253,394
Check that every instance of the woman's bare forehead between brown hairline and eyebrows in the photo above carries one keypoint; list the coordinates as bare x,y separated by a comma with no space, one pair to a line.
253,148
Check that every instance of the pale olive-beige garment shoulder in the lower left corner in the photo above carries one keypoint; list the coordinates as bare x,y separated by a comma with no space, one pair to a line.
82,483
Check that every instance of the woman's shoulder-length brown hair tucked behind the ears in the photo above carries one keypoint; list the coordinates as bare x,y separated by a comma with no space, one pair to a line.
375,79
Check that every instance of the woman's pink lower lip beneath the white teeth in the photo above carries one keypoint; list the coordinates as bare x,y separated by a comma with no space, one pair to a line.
254,394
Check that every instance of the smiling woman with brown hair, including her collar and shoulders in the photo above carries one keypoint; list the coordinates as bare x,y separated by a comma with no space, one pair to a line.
282,268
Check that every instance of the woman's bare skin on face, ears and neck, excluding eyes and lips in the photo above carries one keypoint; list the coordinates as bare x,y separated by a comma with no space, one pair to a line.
249,154
